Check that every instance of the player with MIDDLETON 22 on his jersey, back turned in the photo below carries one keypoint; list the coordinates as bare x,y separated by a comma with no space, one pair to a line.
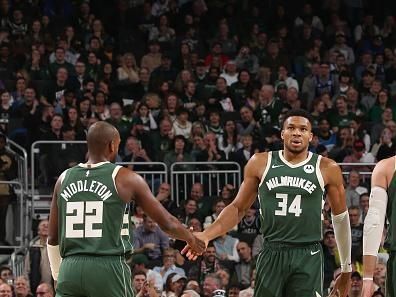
88,226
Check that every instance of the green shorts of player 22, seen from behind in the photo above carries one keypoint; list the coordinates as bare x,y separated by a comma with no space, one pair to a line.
89,276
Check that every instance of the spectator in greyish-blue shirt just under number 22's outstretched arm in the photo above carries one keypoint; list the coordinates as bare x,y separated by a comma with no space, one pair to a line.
150,240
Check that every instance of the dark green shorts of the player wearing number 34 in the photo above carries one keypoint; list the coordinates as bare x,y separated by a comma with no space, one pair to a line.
285,270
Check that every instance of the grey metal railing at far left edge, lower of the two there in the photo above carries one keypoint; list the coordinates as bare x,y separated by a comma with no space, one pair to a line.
19,225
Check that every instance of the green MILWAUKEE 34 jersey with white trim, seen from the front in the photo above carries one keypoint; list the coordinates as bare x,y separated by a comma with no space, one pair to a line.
291,200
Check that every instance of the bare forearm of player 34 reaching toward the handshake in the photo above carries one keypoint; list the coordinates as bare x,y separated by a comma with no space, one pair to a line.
228,218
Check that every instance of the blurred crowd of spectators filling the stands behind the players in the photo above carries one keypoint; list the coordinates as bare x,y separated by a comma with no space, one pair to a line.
196,80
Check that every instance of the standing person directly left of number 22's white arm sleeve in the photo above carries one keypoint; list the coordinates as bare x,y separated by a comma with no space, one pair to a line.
37,266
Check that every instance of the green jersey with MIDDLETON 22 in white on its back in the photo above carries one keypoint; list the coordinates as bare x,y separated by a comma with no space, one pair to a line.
92,218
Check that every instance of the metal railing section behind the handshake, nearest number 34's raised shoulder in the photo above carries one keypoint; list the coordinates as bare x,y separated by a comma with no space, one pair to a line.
213,176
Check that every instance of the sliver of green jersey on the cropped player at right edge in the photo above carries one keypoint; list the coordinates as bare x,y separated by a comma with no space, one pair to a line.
391,215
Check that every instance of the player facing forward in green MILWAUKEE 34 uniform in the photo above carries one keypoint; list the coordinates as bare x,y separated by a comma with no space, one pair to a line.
290,185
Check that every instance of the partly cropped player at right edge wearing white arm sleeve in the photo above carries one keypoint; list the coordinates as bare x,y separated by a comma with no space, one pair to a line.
382,204
